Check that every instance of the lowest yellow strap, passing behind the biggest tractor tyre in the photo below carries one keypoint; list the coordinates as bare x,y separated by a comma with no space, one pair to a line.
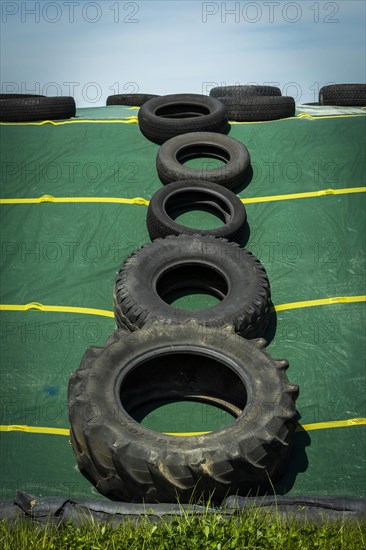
307,427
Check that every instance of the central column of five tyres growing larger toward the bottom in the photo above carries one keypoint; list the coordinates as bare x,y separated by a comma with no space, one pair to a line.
163,353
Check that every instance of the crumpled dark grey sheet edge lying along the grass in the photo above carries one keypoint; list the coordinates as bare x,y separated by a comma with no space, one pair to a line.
80,512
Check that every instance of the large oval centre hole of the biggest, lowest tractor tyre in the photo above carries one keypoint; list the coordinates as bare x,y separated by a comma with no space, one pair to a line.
183,392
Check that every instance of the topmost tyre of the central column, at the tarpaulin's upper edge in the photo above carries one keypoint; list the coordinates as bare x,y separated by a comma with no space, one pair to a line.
167,116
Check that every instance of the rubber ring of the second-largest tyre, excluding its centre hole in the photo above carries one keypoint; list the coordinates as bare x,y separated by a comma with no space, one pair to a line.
248,315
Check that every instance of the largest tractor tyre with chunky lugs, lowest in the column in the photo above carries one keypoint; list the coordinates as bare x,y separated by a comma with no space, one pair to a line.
130,463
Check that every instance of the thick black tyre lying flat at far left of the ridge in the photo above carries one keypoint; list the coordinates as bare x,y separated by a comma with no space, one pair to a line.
29,109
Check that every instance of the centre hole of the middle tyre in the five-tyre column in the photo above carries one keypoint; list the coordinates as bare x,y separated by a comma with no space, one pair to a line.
198,210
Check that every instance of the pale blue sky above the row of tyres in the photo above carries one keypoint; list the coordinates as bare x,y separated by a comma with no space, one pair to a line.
93,49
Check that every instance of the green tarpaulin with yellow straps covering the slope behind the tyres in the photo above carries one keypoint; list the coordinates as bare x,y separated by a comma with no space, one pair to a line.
67,254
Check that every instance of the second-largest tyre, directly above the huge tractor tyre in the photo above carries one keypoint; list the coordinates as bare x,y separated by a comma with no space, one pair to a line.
162,271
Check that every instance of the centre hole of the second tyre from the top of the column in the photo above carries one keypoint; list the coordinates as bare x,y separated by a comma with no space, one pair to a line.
202,156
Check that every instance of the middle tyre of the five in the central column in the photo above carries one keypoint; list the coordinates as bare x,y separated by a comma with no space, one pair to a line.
190,194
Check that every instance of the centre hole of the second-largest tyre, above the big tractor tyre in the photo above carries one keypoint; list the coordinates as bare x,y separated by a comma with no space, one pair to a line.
191,287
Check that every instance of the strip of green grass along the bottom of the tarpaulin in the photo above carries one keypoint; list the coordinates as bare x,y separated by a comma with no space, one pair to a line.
249,530
